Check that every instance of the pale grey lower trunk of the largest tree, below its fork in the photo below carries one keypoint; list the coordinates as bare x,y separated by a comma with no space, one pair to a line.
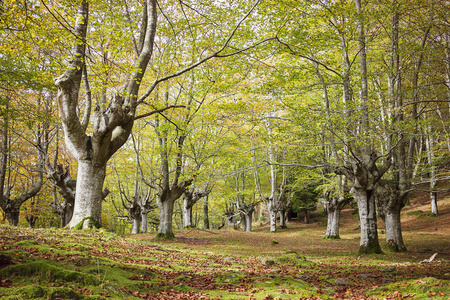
89,195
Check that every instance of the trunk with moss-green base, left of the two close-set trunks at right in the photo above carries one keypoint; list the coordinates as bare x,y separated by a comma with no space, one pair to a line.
368,221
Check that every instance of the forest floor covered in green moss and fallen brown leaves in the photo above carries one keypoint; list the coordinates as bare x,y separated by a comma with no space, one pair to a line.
293,263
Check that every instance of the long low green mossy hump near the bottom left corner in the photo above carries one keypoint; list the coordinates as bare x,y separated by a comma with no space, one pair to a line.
49,273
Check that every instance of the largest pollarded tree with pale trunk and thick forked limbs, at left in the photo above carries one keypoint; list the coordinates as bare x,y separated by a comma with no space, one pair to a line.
111,125
